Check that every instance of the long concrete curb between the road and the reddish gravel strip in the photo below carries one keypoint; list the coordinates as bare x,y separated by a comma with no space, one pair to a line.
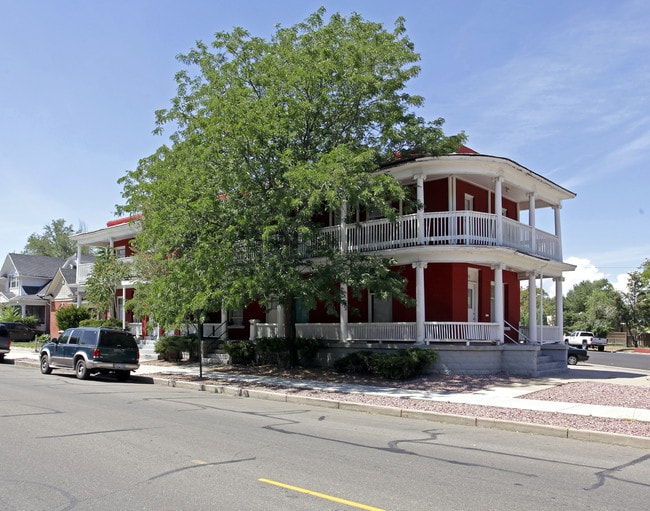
459,420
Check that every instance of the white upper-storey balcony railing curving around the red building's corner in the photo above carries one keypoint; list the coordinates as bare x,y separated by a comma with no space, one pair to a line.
446,228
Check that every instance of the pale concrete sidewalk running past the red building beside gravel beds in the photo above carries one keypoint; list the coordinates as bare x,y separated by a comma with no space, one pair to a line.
509,396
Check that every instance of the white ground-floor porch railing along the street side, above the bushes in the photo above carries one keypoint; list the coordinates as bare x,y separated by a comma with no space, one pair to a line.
435,331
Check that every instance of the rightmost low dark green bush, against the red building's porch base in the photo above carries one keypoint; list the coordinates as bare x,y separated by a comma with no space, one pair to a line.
400,365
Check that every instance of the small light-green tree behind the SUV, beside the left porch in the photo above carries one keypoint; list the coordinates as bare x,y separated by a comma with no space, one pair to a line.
103,282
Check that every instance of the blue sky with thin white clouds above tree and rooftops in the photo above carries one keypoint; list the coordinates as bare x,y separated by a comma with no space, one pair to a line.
560,86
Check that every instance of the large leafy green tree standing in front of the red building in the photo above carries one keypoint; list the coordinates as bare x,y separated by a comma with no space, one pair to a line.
270,135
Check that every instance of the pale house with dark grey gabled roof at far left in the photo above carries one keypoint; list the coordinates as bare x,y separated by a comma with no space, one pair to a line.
23,279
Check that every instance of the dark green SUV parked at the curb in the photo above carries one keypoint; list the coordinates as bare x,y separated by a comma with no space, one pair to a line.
89,350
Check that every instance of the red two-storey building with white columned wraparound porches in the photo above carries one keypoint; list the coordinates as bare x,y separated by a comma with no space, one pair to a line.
487,225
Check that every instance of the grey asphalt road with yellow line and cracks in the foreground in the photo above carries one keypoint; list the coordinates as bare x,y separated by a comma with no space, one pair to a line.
99,444
